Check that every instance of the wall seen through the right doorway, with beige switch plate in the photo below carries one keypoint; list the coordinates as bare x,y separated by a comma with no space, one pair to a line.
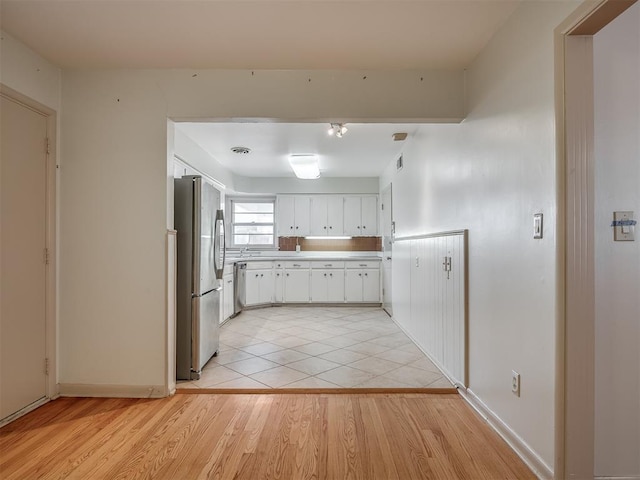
617,180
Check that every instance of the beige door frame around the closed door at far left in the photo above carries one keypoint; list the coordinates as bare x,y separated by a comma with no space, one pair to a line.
51,229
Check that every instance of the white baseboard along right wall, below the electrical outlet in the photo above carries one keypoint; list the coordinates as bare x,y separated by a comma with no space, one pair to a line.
517,444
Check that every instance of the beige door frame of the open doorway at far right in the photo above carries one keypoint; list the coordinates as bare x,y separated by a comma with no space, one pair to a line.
575,308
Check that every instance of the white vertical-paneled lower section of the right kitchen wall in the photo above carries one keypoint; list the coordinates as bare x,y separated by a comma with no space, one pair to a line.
429,302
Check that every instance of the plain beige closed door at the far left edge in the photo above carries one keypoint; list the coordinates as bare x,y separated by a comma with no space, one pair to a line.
23,176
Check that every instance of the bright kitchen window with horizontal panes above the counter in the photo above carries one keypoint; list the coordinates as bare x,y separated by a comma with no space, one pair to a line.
252,222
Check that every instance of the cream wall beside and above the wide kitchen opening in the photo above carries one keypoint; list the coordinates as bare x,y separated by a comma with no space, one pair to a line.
115,189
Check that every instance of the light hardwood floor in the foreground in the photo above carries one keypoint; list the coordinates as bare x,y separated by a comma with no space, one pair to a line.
286,436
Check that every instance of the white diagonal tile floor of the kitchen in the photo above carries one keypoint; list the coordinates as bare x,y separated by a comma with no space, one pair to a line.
316,347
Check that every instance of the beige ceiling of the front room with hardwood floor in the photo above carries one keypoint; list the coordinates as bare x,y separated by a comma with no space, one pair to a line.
256,34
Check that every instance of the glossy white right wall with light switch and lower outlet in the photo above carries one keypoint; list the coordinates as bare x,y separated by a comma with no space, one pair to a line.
491,174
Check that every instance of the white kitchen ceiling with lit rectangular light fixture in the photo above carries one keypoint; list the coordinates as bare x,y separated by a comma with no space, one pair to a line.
364,151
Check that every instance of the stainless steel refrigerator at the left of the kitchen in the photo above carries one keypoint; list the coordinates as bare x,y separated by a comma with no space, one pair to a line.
200,250
